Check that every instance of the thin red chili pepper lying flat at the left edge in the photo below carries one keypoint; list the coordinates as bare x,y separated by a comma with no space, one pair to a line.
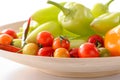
9,48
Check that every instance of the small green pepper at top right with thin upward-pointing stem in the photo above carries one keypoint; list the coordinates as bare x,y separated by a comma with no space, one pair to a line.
100,8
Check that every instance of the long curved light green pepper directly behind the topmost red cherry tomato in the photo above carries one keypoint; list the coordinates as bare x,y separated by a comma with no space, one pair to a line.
51,26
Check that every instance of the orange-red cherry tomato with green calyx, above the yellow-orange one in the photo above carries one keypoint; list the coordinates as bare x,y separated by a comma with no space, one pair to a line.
61,42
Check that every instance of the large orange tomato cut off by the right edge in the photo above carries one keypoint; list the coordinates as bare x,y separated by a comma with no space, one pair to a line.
112,41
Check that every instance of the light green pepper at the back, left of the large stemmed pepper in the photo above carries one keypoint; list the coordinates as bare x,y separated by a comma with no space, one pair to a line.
46,14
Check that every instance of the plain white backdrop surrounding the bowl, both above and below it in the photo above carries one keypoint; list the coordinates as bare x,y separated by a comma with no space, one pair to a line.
16,10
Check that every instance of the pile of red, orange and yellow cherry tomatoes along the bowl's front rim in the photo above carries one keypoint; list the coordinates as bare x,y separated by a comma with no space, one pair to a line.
47,45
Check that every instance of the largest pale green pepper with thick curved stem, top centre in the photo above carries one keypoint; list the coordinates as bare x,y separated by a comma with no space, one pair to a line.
75,18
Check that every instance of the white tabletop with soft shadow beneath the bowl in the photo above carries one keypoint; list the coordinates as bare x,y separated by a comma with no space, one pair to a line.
12,71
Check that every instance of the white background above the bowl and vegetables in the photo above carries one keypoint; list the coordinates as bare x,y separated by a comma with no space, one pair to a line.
15,10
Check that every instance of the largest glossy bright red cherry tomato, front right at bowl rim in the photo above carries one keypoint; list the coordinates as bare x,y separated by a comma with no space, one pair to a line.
88,50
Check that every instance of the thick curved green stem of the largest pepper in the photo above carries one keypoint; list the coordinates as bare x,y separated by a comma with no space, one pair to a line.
64,10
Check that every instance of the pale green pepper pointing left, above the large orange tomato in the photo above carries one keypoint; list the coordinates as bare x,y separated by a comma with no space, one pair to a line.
105,22
